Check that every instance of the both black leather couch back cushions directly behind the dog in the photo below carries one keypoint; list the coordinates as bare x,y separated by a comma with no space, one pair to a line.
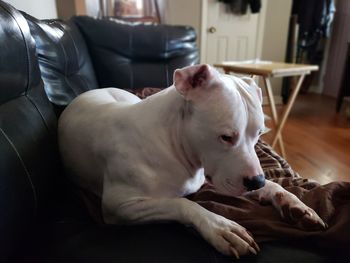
87,53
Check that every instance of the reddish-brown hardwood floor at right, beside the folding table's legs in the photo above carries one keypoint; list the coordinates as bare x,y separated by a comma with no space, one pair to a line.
317,140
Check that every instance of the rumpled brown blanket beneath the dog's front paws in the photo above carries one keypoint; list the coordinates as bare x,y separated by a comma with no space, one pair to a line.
331,202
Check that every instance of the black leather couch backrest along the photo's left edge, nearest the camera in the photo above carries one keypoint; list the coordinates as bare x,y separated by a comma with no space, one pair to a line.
29,163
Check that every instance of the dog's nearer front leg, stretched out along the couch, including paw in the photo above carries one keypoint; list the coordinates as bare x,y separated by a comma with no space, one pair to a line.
225,235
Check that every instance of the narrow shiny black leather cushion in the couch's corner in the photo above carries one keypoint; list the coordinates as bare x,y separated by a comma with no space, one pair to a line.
64,60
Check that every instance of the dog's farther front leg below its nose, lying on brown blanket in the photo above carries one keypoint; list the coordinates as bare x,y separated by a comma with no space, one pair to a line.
290,207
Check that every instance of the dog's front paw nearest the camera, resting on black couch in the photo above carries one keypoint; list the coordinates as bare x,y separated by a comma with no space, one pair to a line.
227,236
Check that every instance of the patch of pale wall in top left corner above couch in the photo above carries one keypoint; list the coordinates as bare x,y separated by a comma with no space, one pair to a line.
41,9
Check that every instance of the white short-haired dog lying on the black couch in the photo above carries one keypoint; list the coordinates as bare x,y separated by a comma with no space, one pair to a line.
142,157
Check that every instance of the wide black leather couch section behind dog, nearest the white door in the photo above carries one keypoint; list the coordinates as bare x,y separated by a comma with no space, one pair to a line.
131,56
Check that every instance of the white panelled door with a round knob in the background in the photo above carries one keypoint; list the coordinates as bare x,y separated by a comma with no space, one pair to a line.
229,36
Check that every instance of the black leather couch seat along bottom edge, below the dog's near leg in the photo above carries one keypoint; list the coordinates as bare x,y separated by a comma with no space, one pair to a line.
170,242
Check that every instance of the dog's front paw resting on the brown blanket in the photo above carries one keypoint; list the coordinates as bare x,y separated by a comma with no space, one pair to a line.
296,212
